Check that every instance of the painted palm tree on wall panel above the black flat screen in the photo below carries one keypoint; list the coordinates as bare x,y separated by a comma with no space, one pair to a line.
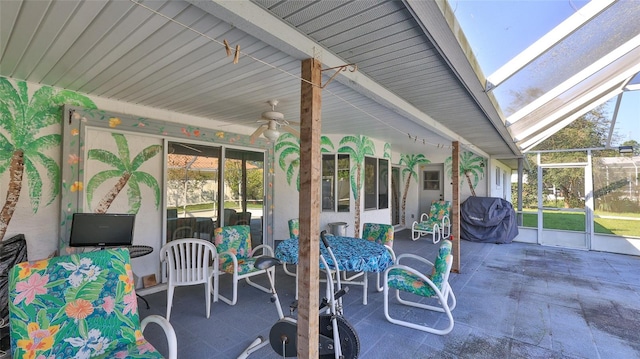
126,171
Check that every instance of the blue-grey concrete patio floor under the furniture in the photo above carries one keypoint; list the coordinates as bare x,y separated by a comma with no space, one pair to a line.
514,301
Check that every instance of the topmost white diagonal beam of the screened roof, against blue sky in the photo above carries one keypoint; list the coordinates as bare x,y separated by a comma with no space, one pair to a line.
547,41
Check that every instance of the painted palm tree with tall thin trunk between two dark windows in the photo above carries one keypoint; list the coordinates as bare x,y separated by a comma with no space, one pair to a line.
357,147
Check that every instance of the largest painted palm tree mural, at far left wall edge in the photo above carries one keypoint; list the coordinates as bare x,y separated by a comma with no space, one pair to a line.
22,144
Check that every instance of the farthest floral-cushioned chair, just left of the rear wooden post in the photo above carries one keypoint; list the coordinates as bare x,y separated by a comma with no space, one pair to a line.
436,222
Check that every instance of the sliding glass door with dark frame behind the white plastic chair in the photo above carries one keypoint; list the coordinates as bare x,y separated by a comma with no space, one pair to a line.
202,194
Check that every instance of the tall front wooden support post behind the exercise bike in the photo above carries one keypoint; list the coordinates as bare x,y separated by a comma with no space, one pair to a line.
309,239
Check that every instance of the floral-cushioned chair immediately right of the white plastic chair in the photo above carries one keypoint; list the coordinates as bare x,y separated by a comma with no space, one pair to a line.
236,257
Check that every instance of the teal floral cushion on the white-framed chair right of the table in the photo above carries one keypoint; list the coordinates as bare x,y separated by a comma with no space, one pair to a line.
405,281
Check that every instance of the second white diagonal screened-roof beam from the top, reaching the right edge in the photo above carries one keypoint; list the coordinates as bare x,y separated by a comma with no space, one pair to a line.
631,49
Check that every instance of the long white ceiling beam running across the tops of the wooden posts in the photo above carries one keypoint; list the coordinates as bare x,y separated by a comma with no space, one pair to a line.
261,24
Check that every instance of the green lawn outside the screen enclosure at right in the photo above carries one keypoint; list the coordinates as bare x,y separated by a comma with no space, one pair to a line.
575,222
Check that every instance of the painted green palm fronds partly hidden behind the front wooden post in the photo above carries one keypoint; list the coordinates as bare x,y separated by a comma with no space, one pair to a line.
288,146
